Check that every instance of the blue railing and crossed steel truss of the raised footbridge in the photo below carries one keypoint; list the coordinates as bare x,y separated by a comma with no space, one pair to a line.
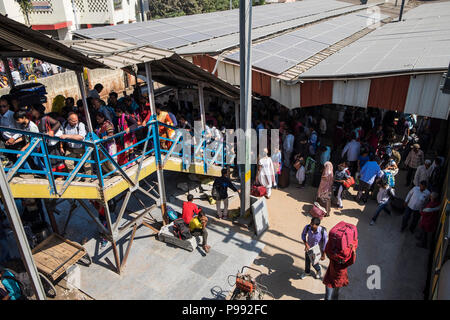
37,161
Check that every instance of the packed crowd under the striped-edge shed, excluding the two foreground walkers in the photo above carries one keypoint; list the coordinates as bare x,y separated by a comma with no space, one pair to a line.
365,151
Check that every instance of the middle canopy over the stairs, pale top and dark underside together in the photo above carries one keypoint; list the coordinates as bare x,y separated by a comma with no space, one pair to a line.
167,67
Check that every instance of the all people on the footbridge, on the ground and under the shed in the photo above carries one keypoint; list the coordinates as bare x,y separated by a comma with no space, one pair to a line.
365,150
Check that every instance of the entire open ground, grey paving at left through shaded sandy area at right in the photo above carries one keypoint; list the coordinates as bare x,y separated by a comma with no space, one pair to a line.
156,270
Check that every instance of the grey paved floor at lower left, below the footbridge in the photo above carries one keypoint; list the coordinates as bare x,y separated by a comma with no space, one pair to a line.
156,270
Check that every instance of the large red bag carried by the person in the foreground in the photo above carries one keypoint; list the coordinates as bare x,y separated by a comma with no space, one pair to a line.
340,238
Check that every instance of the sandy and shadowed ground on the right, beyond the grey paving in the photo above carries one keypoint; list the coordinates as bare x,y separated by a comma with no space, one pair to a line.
402,264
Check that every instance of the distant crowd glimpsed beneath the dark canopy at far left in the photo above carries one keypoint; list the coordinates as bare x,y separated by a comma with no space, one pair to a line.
27,69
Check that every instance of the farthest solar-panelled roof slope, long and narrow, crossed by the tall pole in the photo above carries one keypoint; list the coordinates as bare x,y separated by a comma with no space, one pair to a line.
181,32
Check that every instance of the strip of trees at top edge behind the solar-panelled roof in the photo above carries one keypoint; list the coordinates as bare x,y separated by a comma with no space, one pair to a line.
174,8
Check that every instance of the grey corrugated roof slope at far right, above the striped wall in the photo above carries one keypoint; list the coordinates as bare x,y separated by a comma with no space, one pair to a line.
420,43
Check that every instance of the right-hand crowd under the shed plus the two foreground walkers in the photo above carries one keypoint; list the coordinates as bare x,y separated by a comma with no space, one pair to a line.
364,150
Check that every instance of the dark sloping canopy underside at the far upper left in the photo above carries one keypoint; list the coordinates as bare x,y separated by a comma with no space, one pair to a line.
19,41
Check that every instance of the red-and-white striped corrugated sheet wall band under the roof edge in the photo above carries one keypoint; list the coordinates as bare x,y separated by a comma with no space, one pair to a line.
411,94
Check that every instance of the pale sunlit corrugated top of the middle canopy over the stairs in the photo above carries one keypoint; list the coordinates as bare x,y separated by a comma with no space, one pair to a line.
117,54
